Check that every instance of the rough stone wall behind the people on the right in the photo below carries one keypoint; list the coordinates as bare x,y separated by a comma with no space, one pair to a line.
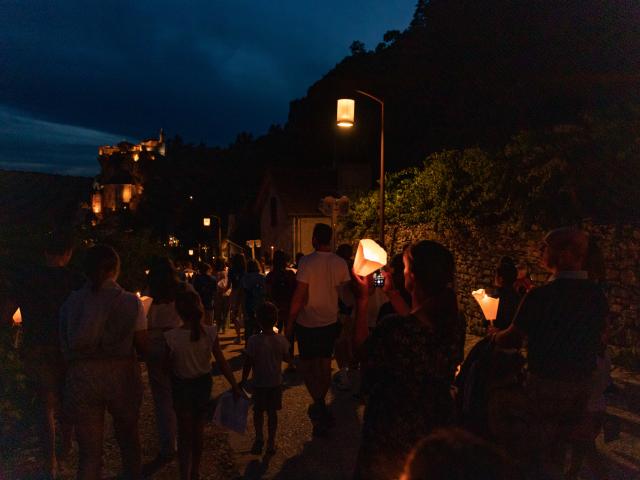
478,250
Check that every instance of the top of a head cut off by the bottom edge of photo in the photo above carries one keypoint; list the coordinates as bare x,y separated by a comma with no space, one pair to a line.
454,454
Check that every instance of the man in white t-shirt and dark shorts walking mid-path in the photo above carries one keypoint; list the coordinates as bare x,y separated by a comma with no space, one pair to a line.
314,310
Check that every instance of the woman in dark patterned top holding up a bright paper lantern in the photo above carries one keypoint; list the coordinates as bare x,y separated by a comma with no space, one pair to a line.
410,365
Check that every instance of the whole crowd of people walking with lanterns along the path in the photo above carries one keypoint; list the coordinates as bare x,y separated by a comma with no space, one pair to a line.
429,413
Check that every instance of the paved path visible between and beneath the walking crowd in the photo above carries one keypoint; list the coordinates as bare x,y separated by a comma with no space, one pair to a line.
298,456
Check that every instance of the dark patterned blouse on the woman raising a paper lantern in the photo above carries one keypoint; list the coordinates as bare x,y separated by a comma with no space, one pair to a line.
408,378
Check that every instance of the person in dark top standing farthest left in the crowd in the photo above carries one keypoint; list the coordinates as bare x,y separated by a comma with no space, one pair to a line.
39,293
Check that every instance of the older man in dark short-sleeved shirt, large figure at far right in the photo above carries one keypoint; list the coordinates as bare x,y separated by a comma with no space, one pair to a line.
563,322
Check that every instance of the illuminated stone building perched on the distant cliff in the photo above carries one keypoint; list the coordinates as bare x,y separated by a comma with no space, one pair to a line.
119,186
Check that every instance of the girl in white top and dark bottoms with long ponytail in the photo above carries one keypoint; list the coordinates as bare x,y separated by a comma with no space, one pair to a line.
191,348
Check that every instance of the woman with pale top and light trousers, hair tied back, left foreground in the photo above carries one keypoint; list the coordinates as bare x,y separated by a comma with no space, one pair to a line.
101,328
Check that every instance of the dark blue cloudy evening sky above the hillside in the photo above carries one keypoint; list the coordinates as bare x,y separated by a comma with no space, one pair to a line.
77,74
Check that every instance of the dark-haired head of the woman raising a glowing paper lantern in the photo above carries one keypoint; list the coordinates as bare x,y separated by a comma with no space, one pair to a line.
428,268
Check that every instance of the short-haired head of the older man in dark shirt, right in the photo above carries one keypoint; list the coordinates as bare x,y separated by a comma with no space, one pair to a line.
564,249
